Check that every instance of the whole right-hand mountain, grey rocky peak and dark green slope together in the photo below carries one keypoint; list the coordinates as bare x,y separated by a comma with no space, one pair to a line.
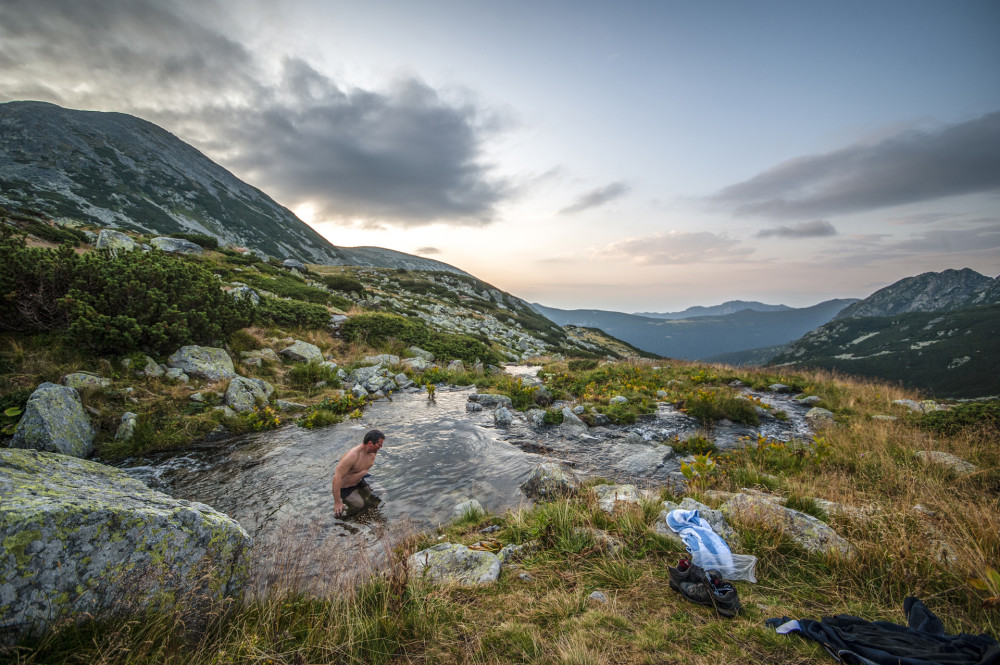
920,331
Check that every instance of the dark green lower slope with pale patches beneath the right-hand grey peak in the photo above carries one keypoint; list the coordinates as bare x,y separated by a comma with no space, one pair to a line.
950,354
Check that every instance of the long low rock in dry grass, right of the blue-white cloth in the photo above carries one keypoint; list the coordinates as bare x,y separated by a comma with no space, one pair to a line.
812,534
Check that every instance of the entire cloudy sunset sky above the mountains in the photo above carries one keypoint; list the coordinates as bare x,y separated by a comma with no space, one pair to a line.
636,156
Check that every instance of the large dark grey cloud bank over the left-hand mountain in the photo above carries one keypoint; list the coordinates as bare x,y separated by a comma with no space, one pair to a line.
402,155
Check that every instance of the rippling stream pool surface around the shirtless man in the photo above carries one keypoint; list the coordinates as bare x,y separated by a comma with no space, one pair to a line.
435,456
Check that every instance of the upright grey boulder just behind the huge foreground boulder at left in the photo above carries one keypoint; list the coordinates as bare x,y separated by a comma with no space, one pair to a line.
54,421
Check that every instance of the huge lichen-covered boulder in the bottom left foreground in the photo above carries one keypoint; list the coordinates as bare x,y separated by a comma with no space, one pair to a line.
82,539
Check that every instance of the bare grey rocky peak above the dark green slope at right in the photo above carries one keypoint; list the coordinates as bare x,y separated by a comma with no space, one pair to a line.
929,292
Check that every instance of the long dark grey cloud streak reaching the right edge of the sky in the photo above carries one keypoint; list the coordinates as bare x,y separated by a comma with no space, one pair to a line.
909,167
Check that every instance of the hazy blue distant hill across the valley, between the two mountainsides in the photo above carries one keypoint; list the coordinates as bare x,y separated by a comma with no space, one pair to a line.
700,337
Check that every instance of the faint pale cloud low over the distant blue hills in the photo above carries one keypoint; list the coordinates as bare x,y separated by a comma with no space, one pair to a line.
674,247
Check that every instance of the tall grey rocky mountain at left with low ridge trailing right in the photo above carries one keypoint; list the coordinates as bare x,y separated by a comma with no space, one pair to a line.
118,171
